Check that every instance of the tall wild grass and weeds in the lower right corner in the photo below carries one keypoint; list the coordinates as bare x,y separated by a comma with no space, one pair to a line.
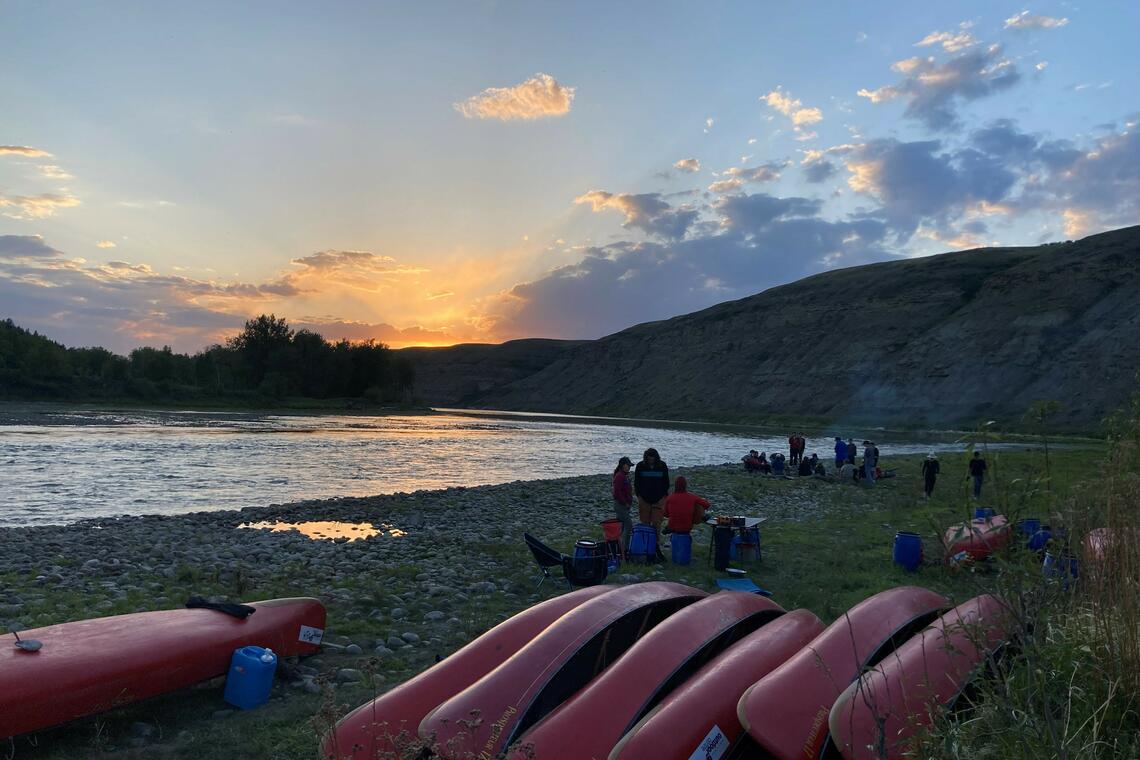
1070,688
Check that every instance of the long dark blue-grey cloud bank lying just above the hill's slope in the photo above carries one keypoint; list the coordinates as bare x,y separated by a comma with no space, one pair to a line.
760,242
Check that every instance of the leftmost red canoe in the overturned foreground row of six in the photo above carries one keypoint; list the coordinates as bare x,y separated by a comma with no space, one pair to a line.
389,723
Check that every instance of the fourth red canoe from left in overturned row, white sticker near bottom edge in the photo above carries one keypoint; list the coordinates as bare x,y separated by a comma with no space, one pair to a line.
702,714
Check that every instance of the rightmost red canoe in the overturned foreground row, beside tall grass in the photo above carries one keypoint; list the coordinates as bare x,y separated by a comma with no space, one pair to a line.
878,715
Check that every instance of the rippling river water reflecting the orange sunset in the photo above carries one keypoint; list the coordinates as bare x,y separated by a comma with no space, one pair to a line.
64,467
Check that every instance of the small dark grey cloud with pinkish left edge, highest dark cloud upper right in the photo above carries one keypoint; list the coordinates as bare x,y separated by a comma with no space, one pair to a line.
933,91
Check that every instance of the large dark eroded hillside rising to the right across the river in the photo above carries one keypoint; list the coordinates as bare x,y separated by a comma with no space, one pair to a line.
947,340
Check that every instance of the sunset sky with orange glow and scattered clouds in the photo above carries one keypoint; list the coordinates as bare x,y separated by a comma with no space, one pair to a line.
428,174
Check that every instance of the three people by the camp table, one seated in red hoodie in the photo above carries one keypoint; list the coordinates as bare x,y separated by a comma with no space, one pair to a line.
650,488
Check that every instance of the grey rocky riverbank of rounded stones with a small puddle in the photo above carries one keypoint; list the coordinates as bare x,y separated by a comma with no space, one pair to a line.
444,567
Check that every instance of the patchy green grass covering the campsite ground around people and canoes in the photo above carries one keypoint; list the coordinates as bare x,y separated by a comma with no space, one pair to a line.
826,563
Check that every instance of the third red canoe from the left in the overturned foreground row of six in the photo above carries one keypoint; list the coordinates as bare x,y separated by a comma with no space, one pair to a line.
591,723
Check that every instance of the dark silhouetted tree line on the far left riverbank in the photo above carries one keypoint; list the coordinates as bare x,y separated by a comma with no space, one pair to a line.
267,361
